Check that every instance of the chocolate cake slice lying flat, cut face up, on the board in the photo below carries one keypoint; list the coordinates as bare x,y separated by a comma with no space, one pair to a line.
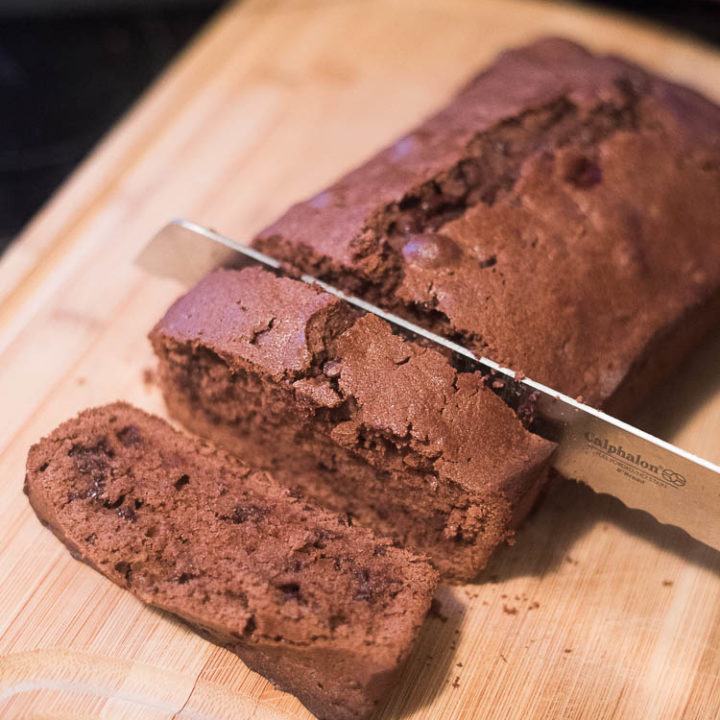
325,610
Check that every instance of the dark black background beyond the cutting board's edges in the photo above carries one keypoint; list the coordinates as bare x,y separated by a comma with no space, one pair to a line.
66,77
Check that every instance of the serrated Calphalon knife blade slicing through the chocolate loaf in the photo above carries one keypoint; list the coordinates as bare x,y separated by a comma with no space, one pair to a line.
609,455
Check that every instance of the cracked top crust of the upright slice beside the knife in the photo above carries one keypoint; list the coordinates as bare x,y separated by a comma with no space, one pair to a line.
364,384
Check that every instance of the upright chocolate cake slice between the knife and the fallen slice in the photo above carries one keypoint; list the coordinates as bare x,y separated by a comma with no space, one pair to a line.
353,416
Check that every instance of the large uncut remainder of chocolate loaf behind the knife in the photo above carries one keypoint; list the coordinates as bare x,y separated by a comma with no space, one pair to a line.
559,215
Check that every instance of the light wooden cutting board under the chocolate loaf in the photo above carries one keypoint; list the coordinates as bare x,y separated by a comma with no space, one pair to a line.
596,612
